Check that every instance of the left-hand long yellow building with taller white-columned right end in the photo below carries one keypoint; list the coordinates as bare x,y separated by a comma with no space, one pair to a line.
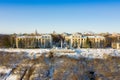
43,41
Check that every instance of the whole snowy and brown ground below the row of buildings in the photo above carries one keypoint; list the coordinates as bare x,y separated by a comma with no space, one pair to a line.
59,64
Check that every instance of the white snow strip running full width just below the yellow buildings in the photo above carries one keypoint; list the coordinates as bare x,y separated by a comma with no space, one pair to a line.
88,53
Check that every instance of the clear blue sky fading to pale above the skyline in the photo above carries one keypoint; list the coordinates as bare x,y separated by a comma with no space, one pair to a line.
24,16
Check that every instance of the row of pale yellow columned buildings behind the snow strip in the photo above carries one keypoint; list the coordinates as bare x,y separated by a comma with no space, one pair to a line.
70,41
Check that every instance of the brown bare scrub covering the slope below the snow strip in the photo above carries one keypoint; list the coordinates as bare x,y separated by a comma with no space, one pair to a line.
65,68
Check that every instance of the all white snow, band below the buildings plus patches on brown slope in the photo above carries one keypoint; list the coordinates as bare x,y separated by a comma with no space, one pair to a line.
75,53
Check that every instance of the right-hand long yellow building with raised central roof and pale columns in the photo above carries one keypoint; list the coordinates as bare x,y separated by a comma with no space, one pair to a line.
79,41
